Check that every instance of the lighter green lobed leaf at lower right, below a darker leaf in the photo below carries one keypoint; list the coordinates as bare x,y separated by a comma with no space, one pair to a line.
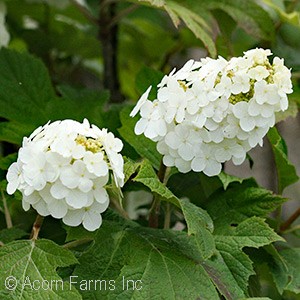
232,267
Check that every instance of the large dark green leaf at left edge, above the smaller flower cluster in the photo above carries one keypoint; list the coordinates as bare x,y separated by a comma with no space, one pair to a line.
25,88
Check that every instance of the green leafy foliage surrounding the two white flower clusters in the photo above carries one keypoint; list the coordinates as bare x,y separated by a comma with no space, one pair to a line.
56,66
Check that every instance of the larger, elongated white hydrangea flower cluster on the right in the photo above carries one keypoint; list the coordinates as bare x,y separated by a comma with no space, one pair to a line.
214,110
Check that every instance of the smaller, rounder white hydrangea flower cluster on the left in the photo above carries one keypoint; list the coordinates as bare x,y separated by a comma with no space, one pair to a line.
62,170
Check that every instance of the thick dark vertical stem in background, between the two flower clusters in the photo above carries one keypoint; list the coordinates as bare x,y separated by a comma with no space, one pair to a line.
108,37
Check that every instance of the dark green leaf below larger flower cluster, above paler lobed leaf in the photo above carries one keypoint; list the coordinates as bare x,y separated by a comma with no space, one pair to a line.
236,204
